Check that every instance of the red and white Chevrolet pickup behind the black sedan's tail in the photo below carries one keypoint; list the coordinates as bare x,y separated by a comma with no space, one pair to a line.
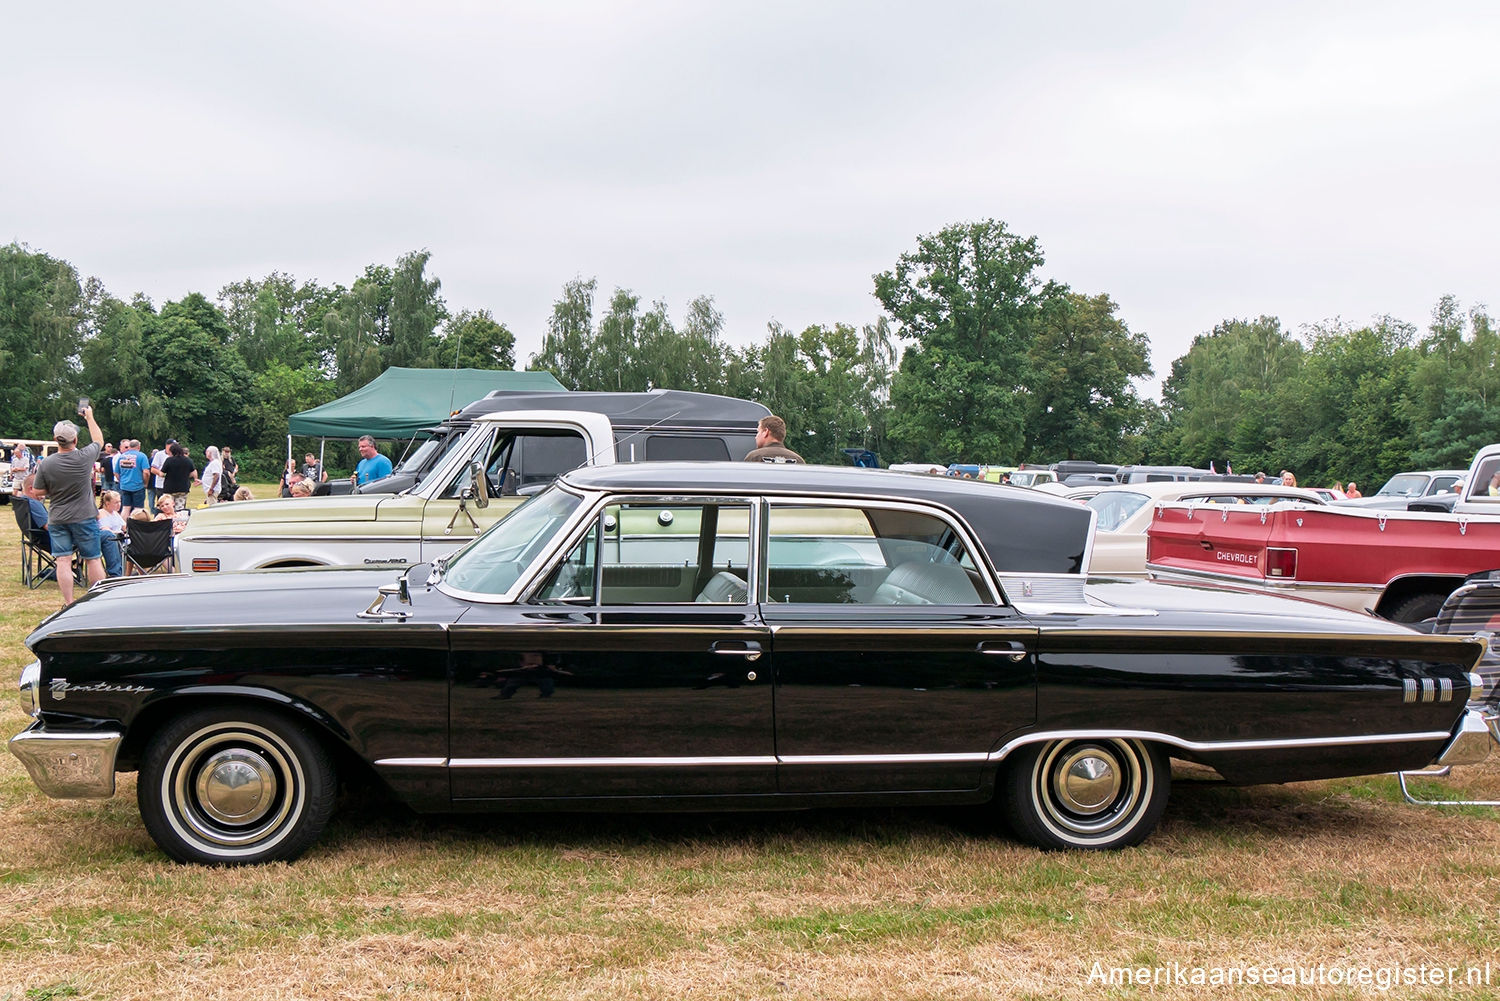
1399,565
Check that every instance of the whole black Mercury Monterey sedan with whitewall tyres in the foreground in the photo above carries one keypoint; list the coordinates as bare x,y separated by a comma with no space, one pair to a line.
725,637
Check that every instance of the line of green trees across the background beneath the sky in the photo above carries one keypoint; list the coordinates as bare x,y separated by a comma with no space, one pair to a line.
976,358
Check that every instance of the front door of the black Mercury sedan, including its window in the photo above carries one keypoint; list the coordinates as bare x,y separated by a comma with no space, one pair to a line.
635,670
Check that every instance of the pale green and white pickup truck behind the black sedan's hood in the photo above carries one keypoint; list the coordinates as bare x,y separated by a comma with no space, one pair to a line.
503,460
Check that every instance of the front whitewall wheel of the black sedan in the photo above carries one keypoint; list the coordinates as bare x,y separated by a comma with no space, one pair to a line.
236,787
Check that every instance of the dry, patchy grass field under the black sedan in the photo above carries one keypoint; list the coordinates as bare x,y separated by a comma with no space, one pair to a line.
1337,879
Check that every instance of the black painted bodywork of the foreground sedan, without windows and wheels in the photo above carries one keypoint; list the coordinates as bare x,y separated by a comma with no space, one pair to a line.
466,705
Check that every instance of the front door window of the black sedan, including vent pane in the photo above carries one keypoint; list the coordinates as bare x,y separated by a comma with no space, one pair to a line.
652,553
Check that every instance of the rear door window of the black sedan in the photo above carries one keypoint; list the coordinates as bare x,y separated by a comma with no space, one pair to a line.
868,556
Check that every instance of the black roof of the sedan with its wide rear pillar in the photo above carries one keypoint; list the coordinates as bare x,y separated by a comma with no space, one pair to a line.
1055,540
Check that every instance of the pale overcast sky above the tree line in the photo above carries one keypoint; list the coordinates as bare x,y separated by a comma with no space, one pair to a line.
1195,161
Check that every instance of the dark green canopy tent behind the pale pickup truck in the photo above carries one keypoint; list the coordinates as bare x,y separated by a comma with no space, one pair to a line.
401,401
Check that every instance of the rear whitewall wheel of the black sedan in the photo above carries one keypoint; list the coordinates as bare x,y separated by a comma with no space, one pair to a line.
1093,795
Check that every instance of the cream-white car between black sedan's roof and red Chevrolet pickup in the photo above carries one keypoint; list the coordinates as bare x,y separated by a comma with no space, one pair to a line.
1126,513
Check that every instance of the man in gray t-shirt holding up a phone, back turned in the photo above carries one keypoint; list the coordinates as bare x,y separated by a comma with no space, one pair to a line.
67,481
